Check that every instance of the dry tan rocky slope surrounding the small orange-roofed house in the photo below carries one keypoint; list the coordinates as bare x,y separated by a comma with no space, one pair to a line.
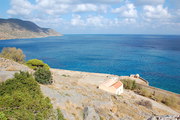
74,94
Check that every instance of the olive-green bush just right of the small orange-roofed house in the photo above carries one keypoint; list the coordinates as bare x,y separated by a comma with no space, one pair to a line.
129,84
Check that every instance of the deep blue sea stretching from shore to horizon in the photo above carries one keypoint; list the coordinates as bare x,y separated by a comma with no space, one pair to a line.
155,57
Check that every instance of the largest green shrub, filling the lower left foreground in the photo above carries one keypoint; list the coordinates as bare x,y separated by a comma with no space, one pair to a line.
21,98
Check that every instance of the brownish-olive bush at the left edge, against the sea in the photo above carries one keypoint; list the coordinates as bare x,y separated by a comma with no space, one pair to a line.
13,54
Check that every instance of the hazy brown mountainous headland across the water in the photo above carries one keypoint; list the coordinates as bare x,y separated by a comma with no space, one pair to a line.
16,28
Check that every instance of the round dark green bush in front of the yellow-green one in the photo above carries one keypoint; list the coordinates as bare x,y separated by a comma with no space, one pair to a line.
43,76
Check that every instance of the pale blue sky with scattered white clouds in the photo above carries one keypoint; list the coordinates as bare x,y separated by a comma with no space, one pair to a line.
98,16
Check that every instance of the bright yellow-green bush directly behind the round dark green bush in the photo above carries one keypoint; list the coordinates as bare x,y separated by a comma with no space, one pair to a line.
35,64
